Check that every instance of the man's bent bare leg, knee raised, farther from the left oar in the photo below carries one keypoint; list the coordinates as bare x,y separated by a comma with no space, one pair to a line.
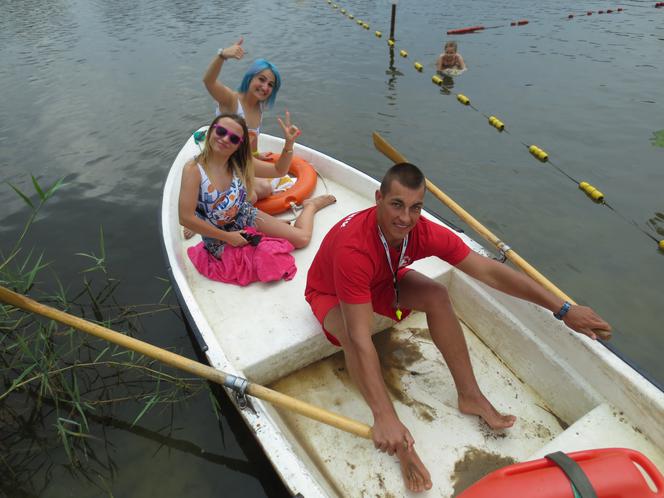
421,293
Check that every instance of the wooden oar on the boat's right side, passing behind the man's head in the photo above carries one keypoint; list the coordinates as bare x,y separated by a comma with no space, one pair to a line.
384,146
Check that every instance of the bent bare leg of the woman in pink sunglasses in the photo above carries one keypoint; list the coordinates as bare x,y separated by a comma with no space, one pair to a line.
300,234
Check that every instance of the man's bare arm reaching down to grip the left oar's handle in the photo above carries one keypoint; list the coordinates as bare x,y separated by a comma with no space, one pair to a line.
388,433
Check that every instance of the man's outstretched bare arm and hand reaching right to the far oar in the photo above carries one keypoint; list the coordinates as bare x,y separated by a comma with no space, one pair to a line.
499,276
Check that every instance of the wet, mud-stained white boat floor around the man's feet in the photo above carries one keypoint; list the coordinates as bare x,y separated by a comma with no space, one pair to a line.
457,449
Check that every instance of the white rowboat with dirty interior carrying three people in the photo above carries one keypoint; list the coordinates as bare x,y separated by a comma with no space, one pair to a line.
568,392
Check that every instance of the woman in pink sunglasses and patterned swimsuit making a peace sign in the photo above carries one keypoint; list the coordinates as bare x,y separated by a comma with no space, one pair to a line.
217,186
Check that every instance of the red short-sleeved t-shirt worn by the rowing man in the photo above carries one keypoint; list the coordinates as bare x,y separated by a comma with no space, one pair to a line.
351,260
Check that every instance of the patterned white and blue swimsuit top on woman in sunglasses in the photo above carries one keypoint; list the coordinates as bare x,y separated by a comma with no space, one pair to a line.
228,210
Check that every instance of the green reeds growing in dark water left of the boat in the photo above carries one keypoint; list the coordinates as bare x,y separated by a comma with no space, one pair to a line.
60,389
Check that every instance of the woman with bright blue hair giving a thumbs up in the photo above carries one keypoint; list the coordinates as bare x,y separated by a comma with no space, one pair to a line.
257,91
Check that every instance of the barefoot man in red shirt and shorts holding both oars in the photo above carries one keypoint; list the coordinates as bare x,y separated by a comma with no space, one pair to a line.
361,268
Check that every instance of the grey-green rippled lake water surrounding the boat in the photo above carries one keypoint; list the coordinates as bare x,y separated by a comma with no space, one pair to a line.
106,93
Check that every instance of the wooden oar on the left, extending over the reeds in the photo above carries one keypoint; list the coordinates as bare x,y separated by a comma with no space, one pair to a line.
187,365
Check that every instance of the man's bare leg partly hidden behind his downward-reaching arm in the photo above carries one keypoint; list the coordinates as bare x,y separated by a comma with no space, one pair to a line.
415,475
